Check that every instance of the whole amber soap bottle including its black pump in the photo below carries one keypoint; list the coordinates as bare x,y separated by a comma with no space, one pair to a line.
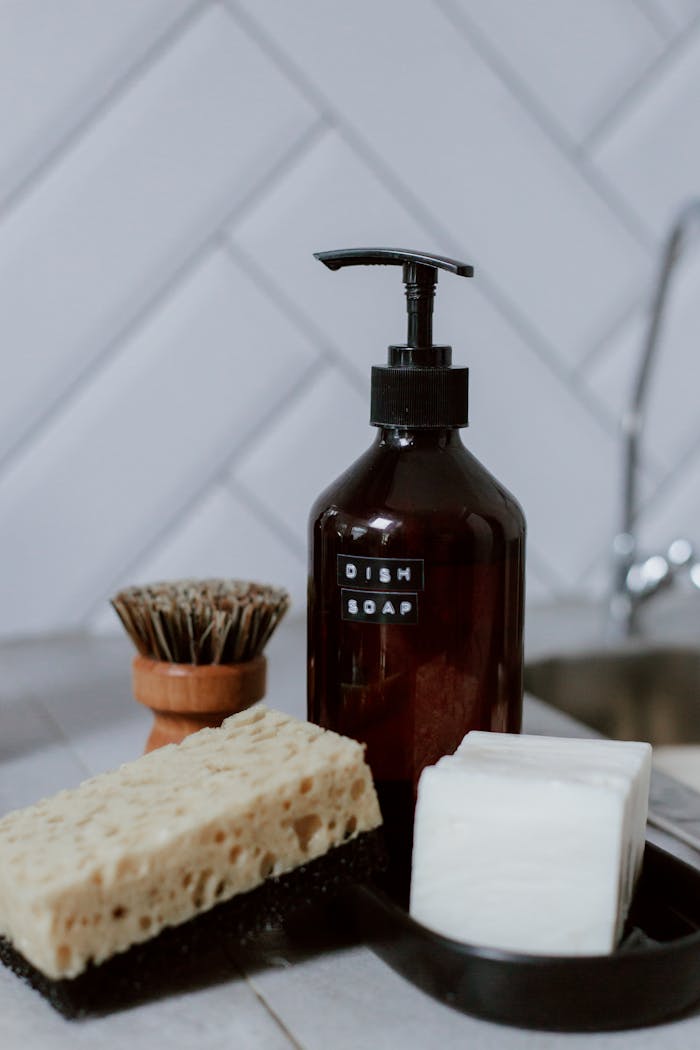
416,569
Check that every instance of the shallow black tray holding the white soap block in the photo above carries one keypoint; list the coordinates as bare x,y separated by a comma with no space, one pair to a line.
653,976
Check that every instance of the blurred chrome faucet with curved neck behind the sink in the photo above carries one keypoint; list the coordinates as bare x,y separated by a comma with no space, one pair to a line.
637,580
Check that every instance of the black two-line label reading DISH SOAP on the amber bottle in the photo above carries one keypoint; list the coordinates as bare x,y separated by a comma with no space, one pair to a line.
384,591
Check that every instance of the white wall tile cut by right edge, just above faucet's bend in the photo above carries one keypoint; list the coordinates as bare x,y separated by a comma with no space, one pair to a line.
652,154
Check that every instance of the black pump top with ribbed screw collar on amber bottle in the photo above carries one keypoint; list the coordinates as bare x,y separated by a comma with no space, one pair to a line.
418,388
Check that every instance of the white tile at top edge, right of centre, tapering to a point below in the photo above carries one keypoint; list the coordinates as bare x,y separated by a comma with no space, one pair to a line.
577,59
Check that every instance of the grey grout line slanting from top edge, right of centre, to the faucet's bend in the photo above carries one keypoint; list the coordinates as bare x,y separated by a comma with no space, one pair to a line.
548,125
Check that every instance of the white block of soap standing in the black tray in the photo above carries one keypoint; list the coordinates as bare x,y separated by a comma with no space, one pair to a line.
532,845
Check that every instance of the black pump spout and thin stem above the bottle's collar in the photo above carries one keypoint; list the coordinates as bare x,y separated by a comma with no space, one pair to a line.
420,276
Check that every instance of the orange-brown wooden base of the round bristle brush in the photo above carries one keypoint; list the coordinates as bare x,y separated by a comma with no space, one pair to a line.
185,698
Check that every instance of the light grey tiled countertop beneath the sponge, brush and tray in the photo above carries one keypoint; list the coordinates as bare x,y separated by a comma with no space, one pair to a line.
66,715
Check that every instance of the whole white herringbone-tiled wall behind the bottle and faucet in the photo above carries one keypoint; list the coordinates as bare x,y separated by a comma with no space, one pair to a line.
179,379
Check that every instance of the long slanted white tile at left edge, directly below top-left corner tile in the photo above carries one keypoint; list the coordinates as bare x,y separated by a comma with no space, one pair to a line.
86,251
